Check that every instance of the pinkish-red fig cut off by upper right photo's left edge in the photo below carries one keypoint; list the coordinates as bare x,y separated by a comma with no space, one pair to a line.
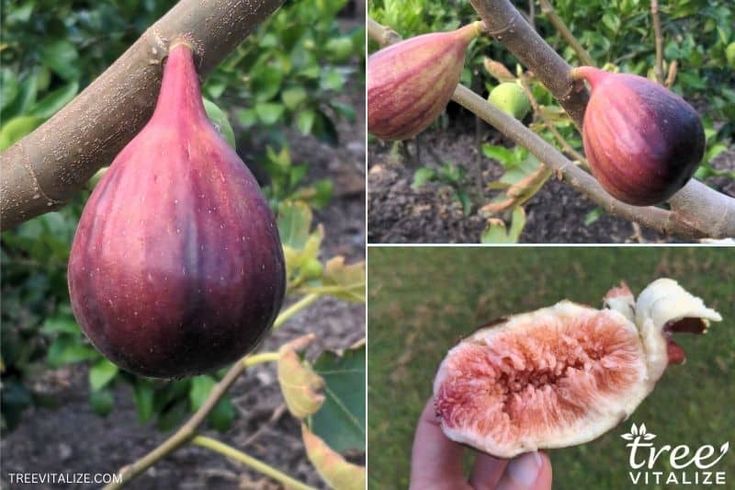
410,83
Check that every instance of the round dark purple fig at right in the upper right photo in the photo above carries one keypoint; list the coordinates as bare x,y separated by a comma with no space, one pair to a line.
643,142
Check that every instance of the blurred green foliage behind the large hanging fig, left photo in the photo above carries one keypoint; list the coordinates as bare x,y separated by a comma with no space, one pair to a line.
285,75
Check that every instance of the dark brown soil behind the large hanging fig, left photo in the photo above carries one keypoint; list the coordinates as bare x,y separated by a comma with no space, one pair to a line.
71,438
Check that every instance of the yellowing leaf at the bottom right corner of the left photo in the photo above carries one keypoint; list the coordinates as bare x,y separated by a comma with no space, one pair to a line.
331,466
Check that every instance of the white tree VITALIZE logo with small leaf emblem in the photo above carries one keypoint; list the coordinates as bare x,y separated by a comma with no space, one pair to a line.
687,467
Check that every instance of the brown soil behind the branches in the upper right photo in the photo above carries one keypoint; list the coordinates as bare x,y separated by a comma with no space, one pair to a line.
431,214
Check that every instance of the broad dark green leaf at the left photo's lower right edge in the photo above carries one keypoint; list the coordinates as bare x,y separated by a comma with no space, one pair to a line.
341,419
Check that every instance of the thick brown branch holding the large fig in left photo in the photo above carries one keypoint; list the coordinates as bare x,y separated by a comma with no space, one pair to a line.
44,169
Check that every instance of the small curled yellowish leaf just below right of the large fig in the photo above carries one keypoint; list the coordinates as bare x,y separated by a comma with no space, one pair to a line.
300,385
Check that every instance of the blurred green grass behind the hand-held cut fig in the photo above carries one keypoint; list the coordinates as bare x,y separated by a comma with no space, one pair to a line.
423,300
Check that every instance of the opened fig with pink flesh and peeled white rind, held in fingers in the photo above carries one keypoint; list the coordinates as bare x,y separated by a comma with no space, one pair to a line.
563,375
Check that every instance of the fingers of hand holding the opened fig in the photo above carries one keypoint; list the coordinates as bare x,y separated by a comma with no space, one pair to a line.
436,464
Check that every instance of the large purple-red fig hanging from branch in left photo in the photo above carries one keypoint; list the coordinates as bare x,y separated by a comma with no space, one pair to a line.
176,267
